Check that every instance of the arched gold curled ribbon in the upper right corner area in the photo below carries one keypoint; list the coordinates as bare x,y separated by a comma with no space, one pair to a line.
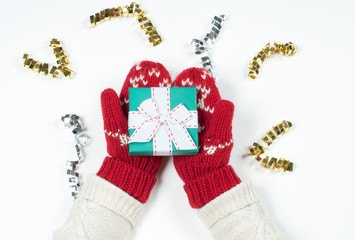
270,48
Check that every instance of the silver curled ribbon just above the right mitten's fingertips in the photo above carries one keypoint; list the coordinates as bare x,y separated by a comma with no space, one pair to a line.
202,47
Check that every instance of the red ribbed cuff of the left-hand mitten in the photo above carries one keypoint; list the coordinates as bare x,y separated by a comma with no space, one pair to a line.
132,180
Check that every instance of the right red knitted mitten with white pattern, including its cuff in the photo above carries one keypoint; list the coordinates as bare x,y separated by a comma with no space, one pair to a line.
207,175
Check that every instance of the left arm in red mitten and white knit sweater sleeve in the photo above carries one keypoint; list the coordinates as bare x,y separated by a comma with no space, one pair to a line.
110,202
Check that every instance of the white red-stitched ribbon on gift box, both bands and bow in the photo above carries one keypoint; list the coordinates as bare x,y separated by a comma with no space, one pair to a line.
162,124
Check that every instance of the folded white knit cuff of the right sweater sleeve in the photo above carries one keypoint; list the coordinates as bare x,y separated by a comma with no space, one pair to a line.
236,198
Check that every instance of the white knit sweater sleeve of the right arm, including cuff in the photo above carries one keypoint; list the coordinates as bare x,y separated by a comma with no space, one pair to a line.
237,215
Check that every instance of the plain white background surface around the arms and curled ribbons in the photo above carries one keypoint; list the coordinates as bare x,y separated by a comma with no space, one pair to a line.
313,89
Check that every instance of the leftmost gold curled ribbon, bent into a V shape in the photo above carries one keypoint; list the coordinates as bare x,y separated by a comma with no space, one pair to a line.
43,68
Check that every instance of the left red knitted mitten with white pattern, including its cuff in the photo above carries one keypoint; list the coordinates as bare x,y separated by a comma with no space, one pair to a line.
134,175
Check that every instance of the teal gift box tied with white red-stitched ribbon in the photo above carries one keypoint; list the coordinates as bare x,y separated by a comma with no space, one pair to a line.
163,121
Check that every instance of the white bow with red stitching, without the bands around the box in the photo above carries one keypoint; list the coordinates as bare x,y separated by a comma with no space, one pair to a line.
174,123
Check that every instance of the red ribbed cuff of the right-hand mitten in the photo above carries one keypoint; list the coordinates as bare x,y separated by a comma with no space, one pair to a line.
205,189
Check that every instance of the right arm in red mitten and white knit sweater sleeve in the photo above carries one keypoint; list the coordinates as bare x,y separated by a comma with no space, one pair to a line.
227,206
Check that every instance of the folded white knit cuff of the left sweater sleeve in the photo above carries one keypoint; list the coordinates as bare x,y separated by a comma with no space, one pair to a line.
109,196
